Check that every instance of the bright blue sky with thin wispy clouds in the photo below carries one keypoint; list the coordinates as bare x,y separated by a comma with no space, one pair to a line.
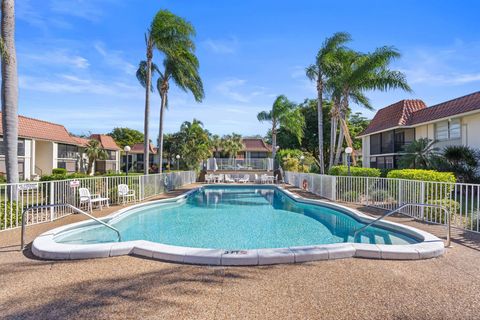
77,58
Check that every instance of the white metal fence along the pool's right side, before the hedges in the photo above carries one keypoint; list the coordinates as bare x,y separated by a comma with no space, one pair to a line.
461,199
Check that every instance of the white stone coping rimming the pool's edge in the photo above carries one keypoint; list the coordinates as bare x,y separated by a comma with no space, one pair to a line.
429,246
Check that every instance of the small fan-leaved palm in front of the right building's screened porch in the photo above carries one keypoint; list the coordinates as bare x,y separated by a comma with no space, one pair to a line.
419,154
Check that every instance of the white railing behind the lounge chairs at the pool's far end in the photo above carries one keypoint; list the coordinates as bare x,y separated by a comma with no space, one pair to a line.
224,164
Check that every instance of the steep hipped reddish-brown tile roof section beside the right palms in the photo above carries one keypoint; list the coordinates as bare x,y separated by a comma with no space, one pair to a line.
394,115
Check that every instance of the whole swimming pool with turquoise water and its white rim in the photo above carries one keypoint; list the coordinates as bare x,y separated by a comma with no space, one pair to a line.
225,223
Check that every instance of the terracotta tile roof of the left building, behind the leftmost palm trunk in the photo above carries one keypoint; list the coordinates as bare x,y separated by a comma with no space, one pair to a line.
42,130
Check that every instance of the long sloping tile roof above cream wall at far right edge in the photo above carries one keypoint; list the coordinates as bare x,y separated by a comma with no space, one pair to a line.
446,109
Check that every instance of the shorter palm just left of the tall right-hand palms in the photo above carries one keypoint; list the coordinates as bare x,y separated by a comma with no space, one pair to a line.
283,113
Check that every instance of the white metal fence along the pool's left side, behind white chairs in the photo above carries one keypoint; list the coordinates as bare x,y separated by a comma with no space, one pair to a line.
66,191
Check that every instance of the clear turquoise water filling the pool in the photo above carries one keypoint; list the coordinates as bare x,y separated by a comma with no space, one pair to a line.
235,218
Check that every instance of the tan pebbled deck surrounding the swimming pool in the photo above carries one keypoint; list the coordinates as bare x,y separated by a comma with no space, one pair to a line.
130,287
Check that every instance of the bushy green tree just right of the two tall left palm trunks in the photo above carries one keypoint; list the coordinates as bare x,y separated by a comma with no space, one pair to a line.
193,143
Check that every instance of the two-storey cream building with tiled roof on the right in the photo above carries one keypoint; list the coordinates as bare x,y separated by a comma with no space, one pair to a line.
454,122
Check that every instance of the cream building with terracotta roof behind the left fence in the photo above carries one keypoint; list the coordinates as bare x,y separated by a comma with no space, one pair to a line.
44,146
